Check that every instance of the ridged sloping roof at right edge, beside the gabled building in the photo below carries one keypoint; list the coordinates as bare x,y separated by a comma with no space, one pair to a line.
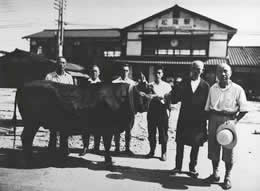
244,56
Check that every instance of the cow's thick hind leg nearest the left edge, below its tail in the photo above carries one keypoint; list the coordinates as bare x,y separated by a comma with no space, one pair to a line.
27,137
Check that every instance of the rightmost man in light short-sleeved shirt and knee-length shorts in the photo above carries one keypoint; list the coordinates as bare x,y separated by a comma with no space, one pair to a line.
227,104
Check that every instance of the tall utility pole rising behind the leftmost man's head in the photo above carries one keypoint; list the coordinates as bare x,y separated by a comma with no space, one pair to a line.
59,5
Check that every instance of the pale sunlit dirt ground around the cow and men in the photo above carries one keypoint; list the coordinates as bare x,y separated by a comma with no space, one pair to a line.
128,173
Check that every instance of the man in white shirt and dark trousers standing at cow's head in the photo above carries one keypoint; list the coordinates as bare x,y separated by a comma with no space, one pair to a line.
157,115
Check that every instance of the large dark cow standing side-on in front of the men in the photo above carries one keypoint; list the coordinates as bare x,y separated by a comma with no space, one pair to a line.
102,109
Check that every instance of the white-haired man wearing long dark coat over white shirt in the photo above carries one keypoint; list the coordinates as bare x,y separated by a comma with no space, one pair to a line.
191,126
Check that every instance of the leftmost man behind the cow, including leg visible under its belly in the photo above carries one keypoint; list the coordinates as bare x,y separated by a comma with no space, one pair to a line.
59,76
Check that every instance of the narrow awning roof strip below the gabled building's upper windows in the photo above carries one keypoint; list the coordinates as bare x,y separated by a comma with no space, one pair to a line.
212,61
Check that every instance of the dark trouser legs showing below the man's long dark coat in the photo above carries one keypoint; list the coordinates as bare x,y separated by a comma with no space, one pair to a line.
193,156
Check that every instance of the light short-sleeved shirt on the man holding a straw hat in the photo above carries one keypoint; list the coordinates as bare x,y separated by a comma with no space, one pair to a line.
230,99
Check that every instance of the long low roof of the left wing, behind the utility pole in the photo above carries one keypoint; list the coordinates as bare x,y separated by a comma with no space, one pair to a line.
78,33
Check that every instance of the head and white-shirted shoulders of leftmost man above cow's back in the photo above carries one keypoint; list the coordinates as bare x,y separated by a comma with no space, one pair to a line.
60,75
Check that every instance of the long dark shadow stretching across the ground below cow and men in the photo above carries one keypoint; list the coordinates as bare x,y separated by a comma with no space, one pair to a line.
10,158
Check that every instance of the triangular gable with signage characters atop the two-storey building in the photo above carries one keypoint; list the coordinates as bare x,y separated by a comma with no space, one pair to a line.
178,18
